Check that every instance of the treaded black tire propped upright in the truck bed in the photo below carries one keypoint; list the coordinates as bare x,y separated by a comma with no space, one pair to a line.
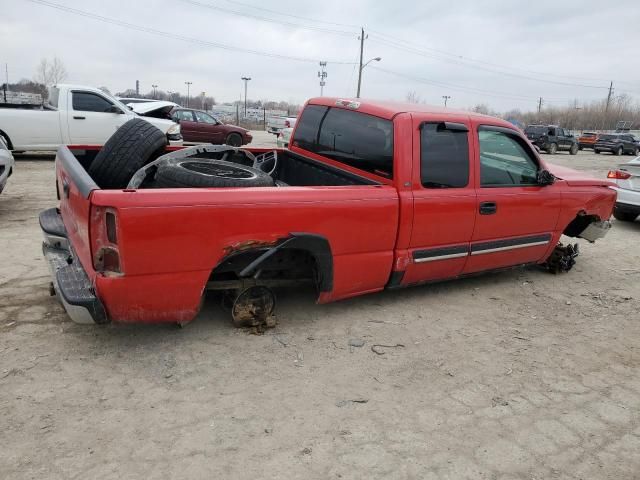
134,144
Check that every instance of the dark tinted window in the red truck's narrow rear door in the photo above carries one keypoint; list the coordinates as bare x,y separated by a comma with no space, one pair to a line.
444,156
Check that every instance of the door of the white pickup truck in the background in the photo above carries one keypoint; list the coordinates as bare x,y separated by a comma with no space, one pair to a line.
92,118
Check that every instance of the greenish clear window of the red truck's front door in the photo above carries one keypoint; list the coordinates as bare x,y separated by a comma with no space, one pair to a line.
505,160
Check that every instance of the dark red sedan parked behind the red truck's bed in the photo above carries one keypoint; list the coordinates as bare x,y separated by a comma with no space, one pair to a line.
199,126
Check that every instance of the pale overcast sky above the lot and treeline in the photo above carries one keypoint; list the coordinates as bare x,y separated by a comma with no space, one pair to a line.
503,53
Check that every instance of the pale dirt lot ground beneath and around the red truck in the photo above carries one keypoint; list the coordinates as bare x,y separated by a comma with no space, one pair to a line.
513,375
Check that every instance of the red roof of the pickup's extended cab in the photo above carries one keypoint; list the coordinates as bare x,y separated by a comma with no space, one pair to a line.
389,109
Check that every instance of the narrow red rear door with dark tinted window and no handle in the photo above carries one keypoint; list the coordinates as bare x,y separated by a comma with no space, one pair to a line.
444,198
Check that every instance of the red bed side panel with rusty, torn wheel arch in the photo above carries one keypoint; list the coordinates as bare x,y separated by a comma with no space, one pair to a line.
171,239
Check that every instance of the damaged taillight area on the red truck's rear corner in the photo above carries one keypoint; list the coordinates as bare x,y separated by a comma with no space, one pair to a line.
104,240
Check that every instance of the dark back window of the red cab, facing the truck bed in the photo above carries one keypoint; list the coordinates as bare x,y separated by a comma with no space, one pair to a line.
357,139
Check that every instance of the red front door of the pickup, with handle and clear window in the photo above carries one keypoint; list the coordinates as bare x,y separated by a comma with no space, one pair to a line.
516,217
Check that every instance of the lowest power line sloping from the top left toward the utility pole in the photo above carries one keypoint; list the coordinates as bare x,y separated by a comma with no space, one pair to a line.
183,38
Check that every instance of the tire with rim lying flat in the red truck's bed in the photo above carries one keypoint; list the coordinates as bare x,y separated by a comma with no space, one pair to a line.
197,172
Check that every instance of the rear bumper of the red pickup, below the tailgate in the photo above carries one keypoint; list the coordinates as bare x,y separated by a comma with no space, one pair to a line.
72,285
